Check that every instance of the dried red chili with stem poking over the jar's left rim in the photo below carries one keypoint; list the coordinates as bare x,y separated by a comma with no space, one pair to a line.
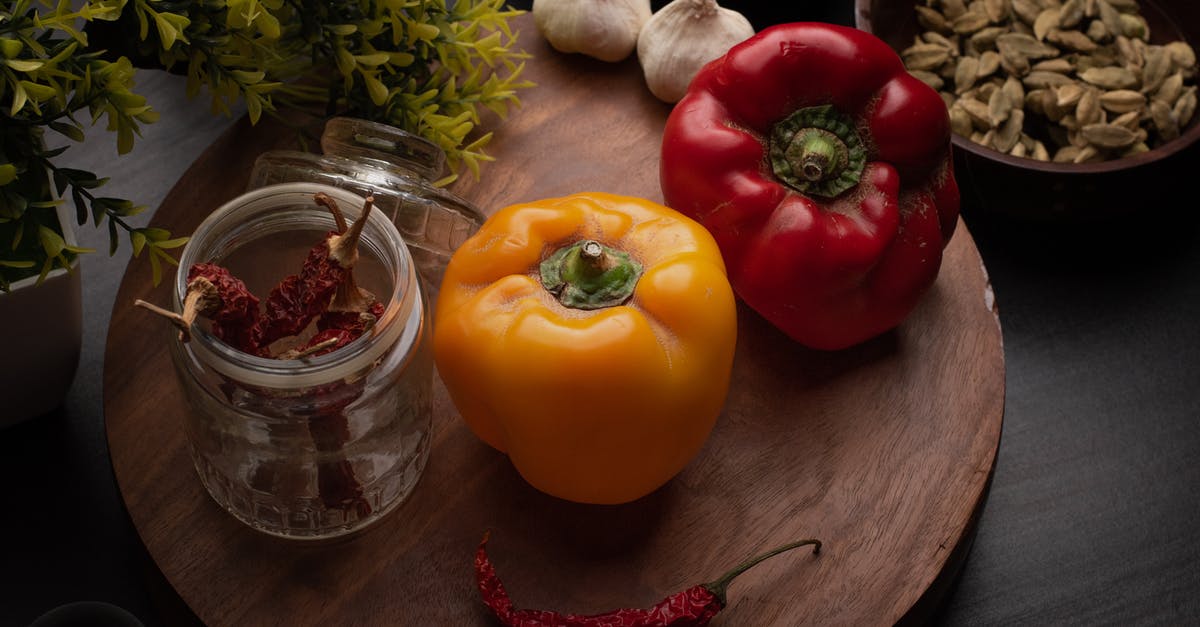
224,300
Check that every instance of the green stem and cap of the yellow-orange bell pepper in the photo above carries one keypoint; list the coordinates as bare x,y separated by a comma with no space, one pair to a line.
591,276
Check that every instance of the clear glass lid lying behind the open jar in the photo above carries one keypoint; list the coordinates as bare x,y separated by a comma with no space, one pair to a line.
400,170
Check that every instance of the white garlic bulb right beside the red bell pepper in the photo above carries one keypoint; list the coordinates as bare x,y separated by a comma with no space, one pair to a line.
683,37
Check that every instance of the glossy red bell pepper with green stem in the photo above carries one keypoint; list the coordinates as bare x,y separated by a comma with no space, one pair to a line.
824,171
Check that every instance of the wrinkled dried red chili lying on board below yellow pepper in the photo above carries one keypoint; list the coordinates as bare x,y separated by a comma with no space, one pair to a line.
693,607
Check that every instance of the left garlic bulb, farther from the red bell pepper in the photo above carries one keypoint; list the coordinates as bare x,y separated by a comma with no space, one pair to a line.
603,29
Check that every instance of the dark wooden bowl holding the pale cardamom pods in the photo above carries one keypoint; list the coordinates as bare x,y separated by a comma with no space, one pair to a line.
995,182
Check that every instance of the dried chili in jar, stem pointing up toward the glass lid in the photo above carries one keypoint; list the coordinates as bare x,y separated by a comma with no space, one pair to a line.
299,298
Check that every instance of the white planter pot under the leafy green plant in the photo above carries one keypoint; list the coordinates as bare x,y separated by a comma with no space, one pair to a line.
41,333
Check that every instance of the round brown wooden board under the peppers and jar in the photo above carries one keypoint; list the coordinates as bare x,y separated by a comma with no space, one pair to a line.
885,451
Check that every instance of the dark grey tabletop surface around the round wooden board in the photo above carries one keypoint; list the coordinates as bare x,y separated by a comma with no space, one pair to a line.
1091,517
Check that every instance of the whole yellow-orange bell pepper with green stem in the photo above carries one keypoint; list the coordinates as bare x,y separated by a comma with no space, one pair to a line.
591,338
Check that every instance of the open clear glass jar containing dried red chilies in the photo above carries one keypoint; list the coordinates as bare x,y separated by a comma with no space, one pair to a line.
322,446
